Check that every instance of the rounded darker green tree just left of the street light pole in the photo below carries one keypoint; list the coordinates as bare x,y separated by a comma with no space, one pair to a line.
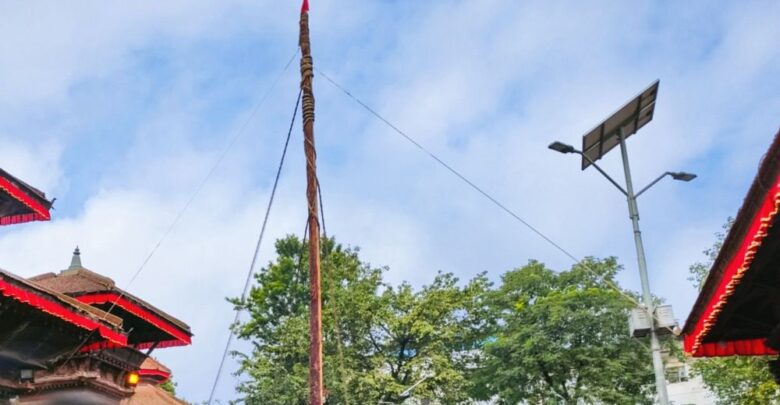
562,338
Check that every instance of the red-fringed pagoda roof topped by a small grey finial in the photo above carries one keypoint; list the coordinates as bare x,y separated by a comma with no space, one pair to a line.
150,326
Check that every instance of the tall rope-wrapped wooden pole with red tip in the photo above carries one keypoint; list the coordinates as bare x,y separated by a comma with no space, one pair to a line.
315,303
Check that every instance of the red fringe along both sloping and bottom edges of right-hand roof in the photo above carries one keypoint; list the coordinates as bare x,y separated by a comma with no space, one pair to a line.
732,276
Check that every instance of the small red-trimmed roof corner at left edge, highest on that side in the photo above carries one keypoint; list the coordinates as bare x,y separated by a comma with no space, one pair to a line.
20,202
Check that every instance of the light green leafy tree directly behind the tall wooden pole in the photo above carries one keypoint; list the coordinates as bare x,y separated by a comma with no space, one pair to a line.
378,340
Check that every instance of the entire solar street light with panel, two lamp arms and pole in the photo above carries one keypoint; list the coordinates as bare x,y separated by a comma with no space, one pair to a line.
600,140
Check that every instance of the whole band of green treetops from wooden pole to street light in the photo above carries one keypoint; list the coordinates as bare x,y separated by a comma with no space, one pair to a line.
538,336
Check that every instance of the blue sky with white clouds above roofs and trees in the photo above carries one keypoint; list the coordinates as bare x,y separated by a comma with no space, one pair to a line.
121,109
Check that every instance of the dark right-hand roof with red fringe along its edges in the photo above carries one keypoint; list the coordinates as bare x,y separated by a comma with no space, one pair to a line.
736,310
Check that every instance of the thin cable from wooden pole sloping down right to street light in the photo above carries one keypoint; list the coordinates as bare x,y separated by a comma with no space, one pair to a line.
481,191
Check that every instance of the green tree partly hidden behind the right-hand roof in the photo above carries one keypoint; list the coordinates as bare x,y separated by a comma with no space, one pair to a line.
734,380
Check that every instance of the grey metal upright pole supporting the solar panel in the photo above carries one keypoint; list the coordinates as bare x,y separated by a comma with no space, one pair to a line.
655,347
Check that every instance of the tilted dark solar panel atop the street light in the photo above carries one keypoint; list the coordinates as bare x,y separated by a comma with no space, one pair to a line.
632,116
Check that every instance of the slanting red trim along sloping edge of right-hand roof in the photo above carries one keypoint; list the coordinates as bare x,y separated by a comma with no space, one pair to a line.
734,271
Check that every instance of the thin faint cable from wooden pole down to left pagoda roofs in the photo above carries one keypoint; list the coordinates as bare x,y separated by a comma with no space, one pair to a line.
189,201
